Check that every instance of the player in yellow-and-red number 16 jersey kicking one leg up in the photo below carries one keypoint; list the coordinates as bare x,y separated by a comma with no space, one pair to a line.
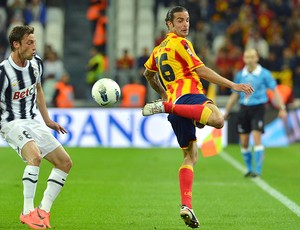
178,83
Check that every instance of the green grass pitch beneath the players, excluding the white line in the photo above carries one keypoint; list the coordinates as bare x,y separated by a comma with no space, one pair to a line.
138,189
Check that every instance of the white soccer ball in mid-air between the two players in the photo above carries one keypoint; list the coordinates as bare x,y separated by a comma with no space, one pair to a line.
106,91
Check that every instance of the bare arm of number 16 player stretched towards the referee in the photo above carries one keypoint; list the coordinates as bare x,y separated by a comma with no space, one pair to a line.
213,77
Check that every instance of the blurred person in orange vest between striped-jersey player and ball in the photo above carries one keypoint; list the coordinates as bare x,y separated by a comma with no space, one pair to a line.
64,93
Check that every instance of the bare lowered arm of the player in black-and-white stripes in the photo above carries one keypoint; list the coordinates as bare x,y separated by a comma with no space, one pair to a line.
41,103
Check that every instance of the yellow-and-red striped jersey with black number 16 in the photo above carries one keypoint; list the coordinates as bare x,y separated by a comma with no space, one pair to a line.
175,60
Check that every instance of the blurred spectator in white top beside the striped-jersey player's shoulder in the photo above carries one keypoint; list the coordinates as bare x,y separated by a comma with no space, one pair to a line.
53,65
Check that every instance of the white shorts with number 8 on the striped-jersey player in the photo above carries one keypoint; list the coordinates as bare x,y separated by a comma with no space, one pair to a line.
18,132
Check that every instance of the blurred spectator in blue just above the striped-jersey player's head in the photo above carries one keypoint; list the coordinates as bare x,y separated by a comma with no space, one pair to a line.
35,11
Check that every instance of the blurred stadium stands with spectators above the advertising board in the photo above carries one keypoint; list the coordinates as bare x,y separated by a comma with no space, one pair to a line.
84,40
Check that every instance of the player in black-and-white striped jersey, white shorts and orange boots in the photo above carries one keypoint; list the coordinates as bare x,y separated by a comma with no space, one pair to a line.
20,93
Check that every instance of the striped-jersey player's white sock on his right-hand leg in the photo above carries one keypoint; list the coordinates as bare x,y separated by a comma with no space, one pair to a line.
56,181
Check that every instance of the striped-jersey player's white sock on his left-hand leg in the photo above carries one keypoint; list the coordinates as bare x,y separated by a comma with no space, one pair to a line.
30,178
